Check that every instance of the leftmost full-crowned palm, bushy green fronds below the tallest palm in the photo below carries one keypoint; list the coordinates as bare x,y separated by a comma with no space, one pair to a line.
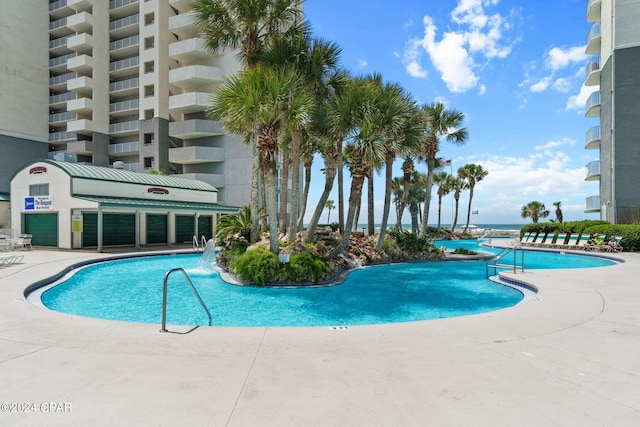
259,101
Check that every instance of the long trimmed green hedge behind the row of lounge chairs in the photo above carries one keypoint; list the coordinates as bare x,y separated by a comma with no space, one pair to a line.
630,232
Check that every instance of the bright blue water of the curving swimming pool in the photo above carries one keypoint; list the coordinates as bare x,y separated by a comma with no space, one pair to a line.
131,290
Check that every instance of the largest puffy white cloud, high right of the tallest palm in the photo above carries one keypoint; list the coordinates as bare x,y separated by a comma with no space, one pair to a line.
457,53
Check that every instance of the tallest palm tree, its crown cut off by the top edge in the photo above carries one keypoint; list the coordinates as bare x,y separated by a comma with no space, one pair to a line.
246,25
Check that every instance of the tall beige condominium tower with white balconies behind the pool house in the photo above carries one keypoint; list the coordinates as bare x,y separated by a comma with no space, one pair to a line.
122,83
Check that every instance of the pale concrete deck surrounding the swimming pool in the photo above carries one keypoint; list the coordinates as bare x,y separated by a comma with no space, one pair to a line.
569,356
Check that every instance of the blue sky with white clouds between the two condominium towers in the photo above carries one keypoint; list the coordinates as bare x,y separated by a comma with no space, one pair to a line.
516,69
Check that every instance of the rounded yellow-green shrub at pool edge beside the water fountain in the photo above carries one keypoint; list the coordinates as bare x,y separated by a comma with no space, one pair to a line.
256,267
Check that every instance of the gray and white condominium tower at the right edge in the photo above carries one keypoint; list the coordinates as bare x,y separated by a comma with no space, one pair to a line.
614,42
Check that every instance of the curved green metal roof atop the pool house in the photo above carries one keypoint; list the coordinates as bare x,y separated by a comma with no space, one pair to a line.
101,173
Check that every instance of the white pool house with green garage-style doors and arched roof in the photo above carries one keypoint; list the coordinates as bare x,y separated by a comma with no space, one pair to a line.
72,206
